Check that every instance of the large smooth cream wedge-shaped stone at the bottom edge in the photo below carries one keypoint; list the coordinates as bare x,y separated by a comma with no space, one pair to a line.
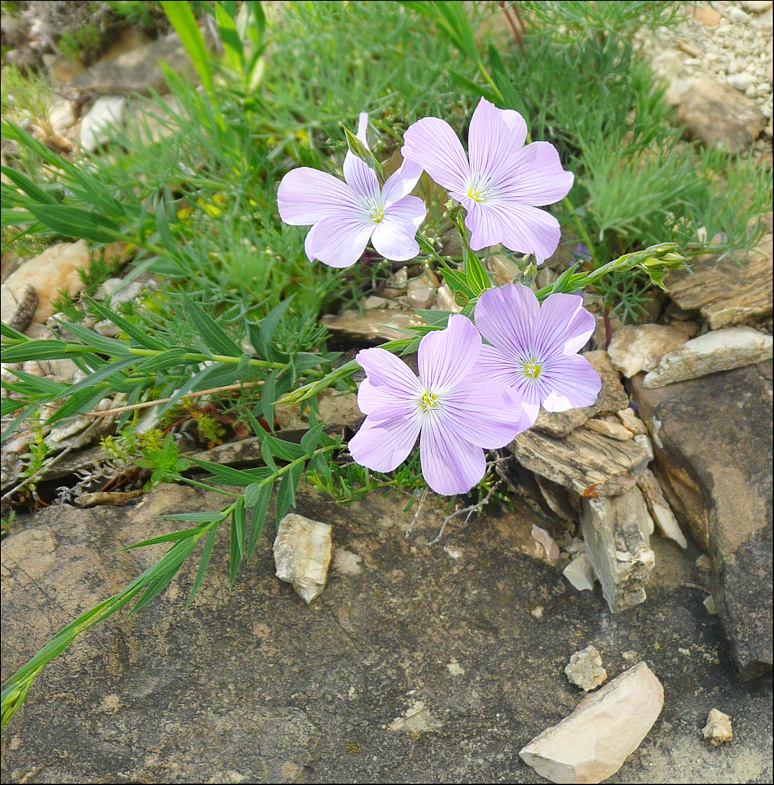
596,739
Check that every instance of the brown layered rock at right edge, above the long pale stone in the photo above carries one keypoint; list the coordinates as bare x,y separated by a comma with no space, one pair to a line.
725,293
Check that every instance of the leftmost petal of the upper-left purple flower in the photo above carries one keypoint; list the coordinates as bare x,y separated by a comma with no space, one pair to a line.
306,196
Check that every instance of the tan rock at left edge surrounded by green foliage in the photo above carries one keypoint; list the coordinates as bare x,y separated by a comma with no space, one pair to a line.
48,273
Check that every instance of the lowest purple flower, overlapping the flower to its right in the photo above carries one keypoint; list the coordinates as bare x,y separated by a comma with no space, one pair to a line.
451,407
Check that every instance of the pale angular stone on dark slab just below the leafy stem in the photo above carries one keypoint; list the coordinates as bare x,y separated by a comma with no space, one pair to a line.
302,553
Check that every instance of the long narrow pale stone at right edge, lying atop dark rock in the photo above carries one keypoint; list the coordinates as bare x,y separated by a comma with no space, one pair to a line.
720,350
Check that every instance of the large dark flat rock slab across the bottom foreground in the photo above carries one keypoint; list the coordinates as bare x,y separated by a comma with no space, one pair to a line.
416,664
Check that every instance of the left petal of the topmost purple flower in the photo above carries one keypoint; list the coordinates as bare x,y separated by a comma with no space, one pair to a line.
431,143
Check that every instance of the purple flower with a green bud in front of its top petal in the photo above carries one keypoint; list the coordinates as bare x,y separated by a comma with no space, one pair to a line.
347,215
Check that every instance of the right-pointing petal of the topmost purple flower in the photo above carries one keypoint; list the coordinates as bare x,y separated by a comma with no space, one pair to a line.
535,176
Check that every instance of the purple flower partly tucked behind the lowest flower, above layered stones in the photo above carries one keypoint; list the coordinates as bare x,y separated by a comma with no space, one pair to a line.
534,348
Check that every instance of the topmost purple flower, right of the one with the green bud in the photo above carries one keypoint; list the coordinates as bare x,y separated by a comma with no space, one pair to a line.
502,184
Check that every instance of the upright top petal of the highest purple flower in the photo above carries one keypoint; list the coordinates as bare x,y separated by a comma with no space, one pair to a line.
493,140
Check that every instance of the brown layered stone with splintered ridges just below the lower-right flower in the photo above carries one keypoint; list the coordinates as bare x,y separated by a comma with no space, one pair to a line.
586,462
